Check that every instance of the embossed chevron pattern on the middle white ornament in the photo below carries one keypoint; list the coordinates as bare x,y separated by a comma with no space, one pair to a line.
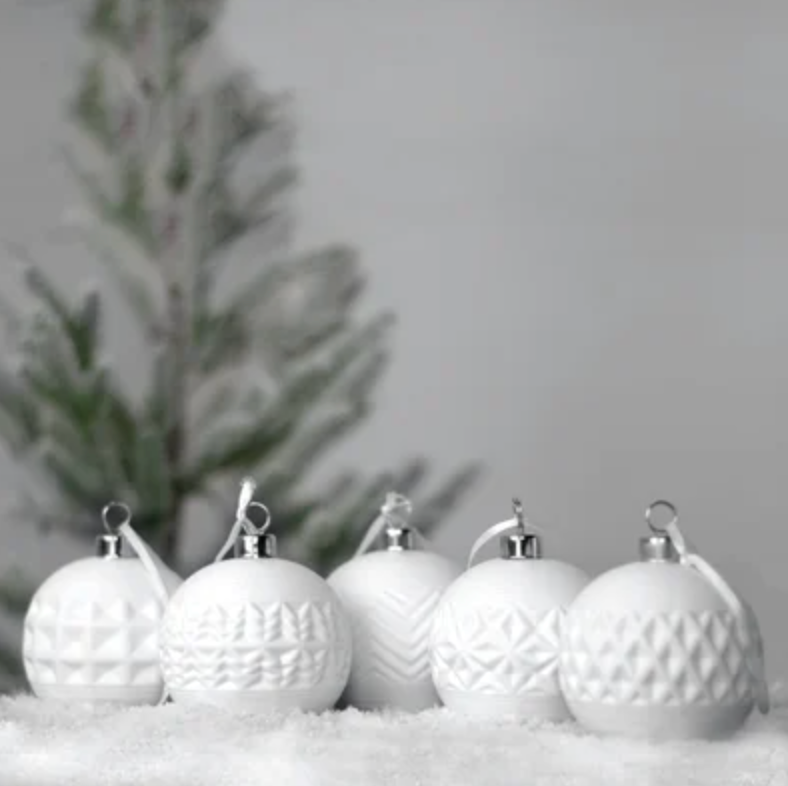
391,636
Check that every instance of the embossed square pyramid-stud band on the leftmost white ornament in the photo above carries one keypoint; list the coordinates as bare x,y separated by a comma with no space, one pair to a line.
92,642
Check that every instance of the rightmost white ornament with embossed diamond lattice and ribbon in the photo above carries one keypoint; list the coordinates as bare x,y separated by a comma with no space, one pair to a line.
662,648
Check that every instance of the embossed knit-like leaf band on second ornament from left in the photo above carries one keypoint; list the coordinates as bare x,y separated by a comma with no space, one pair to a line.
252,646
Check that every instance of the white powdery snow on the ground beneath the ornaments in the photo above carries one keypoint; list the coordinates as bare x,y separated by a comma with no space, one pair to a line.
48,743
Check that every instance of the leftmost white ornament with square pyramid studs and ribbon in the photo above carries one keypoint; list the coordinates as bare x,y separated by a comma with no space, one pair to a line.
91,633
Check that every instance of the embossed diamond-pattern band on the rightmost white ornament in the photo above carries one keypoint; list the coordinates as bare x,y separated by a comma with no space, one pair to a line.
668,659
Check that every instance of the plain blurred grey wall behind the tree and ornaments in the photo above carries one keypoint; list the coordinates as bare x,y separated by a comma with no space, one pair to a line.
575,211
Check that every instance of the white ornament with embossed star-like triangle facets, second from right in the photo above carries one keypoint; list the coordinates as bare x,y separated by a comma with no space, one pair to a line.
496,636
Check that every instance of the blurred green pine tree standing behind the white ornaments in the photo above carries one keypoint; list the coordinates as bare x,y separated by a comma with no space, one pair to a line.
261,379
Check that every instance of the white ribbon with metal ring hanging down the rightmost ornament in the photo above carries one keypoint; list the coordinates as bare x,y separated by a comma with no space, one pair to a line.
747,632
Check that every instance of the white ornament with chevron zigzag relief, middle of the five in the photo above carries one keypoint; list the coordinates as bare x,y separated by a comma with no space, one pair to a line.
390,597
